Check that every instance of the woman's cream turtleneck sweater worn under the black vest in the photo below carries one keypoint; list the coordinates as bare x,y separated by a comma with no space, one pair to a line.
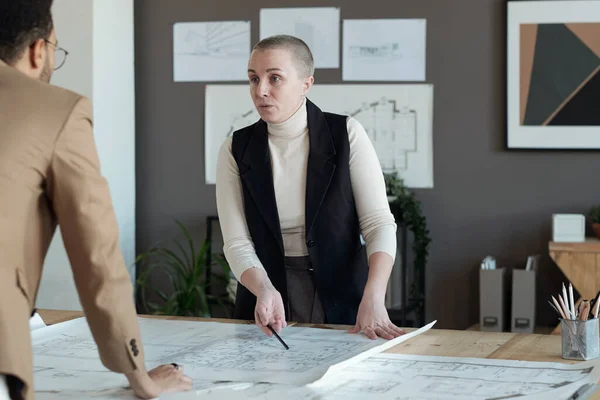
289,148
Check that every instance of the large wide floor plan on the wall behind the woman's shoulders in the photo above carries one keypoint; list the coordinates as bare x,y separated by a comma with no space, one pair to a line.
397,118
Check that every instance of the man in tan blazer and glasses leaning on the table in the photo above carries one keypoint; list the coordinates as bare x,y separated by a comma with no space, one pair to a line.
49,175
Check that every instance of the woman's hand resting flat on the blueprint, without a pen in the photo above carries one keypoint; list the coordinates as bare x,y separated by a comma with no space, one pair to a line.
373,319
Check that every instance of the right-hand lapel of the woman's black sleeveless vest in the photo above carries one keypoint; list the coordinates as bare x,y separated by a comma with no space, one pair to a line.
321,165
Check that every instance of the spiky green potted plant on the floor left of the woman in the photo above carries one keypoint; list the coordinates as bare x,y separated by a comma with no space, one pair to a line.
185,271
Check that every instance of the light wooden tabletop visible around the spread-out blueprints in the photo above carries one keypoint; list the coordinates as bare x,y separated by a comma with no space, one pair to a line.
435,342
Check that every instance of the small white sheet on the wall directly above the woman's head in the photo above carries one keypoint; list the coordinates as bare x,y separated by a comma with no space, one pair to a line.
319,27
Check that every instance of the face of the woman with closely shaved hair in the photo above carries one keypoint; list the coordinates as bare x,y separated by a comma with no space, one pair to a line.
276,87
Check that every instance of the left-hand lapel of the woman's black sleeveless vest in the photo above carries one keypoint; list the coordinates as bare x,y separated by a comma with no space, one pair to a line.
258,177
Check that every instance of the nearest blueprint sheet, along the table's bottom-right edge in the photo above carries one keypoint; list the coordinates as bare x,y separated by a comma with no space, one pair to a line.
406,377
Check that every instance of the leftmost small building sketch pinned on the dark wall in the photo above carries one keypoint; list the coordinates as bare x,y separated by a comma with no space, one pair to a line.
210,51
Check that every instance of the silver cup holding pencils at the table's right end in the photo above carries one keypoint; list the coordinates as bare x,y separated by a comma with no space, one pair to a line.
580,339
